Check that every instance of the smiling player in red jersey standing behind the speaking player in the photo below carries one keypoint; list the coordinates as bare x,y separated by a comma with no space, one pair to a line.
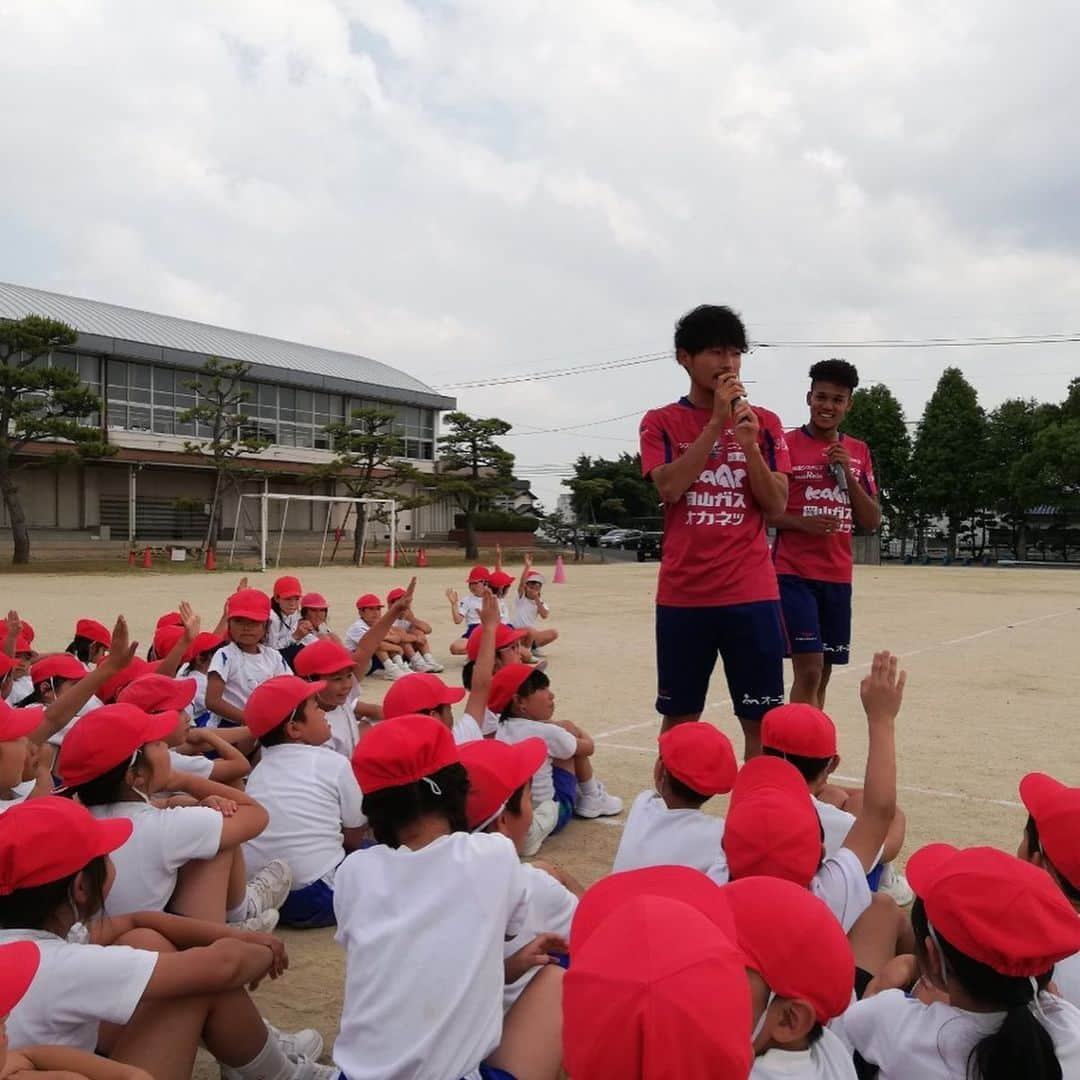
832,492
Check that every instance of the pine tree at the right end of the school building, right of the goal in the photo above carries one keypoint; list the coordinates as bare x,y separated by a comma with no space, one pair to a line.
472,469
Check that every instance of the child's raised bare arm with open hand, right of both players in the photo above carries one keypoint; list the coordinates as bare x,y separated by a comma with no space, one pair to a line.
883,694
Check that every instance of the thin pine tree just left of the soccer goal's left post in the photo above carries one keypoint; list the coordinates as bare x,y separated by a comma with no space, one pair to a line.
220,400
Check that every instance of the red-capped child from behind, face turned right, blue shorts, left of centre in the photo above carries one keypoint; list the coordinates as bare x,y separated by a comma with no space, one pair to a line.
309,792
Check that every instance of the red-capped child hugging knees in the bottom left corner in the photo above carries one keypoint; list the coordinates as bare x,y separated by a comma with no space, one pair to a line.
143,990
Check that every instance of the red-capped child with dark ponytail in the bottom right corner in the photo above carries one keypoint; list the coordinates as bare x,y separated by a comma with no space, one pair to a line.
989,929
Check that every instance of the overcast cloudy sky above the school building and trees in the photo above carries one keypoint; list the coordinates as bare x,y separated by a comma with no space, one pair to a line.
482,188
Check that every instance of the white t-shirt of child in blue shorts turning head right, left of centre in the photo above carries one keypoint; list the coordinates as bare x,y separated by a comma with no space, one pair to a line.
310,793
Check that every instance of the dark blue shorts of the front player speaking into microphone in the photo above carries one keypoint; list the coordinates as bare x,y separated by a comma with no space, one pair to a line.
749,639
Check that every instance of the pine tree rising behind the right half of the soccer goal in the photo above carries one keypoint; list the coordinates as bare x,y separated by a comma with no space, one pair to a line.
367,463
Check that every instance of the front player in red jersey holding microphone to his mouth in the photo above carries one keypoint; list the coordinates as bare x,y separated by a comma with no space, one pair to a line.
720,465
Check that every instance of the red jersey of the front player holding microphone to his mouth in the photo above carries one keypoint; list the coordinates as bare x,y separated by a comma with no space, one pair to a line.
715,550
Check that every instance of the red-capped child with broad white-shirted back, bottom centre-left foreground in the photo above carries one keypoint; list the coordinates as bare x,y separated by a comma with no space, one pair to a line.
431,889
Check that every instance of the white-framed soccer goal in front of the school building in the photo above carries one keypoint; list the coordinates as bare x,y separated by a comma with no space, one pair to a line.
334,526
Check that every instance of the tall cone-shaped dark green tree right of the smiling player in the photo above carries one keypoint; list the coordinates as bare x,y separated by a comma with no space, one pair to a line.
949,463
